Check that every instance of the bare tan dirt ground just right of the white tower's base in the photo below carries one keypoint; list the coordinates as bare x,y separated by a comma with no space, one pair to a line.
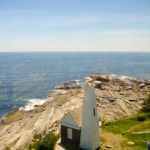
112,141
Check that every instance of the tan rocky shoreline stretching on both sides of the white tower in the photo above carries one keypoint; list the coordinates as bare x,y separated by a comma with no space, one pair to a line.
116,96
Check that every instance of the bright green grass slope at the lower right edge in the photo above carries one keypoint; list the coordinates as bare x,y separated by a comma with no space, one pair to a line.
127,126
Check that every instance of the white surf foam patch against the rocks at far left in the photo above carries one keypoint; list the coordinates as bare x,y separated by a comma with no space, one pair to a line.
31,104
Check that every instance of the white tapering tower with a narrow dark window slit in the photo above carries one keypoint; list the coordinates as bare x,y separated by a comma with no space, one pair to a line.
90,136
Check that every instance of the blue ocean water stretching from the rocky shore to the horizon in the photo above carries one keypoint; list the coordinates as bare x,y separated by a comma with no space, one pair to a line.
25,76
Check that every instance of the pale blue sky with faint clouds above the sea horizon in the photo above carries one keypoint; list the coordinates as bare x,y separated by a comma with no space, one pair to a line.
75,25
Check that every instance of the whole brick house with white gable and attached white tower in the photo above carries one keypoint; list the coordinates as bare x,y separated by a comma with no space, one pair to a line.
81,127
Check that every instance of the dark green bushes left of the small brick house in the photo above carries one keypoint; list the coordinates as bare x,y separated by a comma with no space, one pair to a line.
44,143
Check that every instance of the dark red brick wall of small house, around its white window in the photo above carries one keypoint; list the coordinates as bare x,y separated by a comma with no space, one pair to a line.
75,141
